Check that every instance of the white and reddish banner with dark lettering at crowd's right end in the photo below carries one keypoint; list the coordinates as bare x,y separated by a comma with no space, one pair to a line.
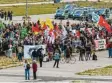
100,44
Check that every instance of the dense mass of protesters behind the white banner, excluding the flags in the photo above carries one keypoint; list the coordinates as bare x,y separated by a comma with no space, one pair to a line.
15,36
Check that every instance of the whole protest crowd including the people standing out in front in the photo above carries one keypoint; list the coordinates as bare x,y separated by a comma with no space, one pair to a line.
60,39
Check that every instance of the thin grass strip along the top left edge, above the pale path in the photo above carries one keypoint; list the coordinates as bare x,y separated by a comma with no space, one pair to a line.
20,1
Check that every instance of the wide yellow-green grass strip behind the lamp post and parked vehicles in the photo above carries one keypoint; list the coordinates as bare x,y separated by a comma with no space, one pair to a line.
50,8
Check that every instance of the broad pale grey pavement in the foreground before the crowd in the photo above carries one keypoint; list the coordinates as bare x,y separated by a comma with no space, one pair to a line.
64,72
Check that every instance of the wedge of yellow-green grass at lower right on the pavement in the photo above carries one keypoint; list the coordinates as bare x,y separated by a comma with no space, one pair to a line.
106,71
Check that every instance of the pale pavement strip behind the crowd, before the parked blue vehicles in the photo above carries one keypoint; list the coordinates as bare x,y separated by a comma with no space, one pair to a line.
42,17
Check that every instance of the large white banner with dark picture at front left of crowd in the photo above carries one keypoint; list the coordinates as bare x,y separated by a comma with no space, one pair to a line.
28,49
